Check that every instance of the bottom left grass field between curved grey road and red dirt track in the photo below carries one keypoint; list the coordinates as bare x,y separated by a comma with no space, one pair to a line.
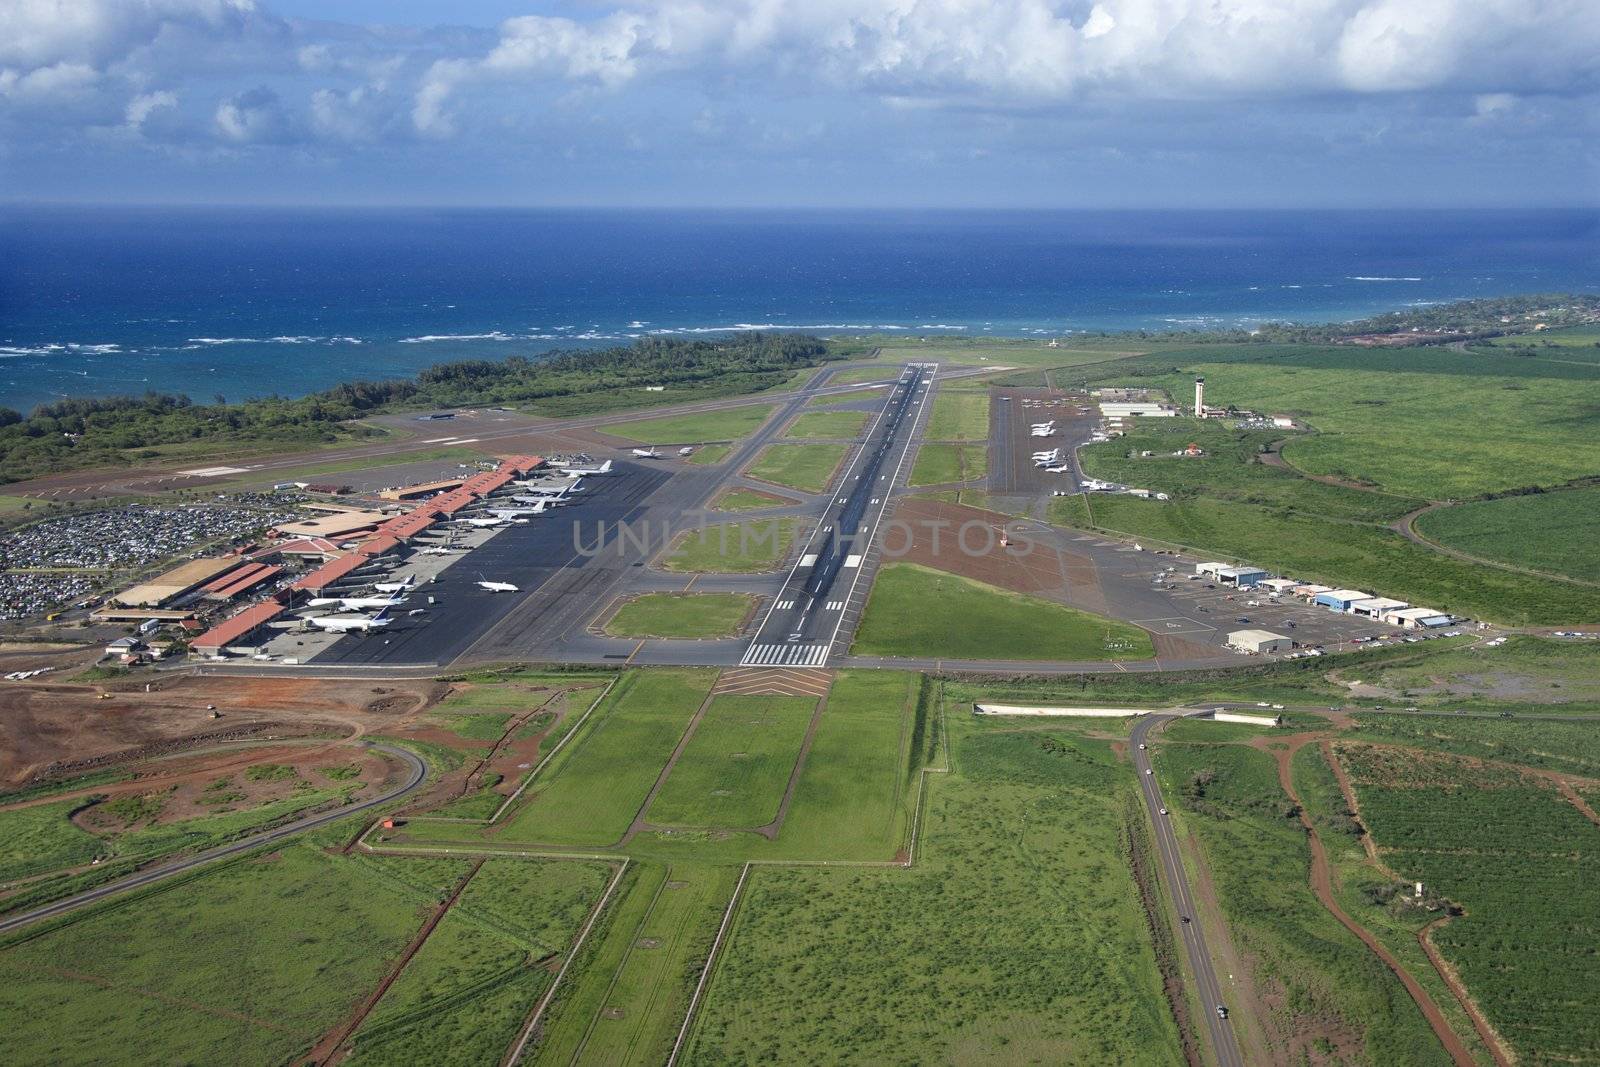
236,965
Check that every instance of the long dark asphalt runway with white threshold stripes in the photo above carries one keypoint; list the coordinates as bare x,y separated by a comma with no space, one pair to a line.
810,609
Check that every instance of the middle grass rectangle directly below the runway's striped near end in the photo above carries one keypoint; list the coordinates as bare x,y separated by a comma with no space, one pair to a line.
735,769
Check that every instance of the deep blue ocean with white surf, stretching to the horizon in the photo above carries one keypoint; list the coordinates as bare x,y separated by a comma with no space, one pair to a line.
252,302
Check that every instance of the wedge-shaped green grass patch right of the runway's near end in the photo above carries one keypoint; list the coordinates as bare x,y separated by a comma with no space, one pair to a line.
929,615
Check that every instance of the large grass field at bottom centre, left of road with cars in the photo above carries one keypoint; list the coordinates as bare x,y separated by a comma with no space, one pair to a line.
1017,938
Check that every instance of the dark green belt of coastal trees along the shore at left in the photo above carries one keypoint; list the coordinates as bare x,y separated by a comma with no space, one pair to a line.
119,431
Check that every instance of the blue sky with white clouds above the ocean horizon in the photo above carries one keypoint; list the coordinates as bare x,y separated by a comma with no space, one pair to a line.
804,103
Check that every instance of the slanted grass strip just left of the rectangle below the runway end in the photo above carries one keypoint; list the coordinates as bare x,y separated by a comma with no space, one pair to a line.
591,793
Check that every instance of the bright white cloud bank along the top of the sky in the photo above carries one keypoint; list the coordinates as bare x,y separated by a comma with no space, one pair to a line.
1042,54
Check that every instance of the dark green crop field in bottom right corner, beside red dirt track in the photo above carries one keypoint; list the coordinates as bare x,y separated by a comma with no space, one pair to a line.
1524,865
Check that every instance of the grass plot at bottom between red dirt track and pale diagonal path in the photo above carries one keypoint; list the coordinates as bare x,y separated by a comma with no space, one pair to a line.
465,996
